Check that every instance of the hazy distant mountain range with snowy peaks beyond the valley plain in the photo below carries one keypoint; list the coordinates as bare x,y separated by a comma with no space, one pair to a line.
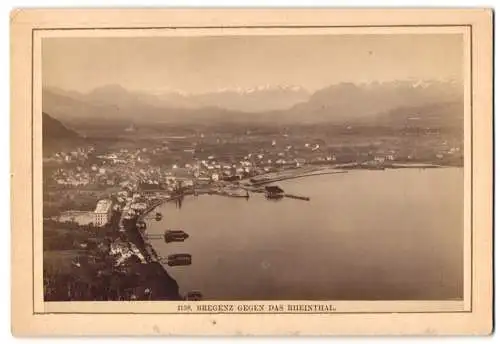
388,102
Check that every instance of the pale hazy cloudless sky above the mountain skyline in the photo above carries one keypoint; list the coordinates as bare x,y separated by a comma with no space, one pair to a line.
206,64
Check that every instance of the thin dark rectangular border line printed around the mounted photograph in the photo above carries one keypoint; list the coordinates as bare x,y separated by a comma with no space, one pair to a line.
470,26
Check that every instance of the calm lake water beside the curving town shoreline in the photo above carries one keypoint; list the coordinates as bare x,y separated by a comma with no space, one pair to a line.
364,235
